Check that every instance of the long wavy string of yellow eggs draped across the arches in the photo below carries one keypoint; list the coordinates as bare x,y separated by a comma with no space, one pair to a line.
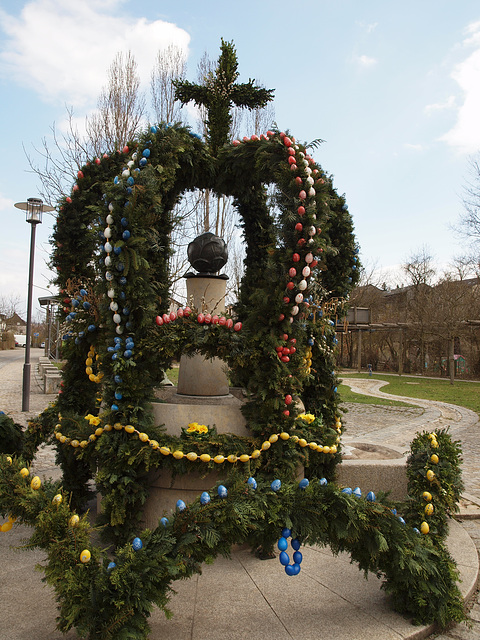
191,455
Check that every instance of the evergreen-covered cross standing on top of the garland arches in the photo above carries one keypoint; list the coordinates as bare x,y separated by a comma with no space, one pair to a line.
219,92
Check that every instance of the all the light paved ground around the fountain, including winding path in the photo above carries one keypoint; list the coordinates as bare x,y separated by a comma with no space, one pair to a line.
242,597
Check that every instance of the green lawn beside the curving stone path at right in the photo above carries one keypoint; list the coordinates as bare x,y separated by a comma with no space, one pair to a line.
464,392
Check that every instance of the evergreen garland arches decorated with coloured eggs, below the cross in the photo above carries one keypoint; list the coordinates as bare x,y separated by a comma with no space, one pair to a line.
111,250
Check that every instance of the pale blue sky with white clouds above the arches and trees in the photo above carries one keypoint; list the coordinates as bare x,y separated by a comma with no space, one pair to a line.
392,88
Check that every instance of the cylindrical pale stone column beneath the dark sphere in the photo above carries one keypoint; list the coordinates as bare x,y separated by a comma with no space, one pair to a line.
199,376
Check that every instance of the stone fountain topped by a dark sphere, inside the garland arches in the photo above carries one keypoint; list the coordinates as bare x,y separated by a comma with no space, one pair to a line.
203,394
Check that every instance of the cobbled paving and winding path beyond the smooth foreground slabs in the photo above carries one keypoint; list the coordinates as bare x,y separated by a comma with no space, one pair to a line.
394,426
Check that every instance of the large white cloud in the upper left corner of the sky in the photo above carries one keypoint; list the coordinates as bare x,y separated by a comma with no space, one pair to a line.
63,48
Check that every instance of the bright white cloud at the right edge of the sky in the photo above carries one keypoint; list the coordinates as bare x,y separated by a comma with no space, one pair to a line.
465,134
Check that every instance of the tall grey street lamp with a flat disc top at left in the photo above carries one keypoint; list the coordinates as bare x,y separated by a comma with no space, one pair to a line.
34,208
